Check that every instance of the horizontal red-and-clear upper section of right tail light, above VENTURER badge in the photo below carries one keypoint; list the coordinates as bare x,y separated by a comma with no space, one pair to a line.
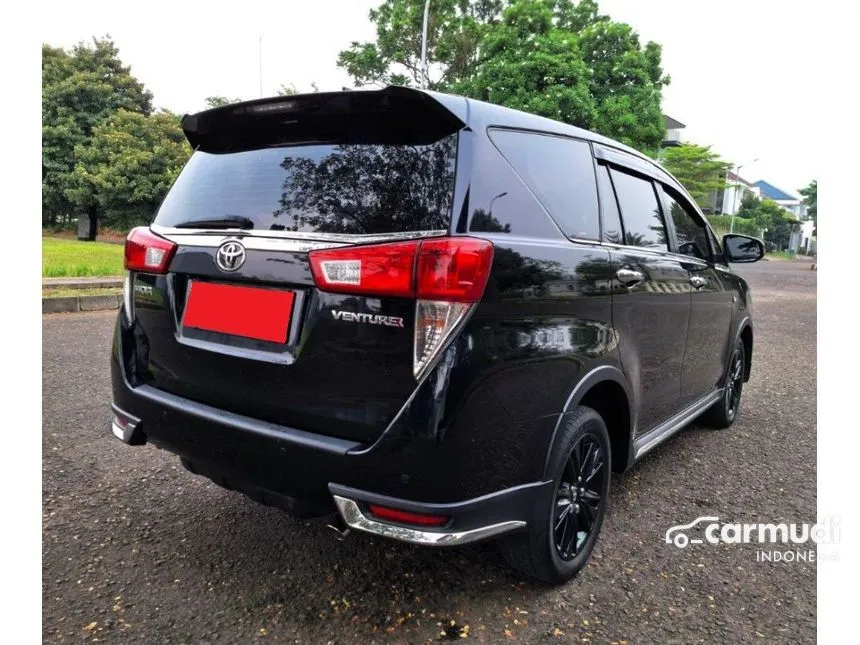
453,269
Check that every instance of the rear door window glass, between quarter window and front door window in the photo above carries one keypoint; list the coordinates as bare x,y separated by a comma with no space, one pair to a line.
640,211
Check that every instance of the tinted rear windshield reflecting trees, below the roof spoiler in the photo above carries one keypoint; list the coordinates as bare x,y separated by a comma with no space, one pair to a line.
350,188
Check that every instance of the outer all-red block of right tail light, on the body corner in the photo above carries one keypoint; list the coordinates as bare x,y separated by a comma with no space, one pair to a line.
454,269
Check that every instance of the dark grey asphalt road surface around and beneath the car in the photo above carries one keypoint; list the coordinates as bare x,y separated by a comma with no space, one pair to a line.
136,550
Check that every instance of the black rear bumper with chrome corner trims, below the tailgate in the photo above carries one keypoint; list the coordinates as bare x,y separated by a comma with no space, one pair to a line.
310,474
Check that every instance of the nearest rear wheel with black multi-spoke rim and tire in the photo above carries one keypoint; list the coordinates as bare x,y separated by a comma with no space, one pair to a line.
548,551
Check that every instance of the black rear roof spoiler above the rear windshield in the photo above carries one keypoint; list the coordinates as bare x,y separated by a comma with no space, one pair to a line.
391,115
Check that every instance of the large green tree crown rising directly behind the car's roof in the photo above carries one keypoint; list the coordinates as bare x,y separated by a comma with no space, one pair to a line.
554,58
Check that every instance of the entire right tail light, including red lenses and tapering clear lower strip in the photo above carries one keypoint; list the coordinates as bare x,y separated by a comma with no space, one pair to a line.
447,276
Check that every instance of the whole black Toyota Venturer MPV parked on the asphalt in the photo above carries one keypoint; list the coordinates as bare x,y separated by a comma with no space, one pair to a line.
444,319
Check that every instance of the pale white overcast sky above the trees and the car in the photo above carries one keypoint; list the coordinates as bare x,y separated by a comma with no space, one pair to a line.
743,72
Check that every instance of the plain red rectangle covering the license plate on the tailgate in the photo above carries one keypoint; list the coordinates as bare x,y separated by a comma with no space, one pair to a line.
263,314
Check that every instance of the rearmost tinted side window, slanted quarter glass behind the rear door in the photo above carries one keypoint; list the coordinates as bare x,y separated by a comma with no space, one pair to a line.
560,172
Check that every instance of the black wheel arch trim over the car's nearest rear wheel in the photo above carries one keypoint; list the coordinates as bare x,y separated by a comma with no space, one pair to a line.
606,390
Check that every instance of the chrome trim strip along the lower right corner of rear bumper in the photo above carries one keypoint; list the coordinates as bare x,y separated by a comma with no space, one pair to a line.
353,517
